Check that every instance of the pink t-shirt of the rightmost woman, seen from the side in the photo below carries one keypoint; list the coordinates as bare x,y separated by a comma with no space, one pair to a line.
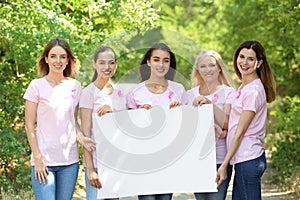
251,97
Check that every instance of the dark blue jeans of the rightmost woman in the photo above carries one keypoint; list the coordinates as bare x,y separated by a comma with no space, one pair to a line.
247,179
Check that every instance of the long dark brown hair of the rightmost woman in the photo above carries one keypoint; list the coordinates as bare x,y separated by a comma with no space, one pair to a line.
264,72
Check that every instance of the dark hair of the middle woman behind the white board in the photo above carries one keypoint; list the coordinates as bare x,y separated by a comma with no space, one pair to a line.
145,69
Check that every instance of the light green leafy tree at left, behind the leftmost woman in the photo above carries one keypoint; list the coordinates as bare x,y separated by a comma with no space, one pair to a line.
25,28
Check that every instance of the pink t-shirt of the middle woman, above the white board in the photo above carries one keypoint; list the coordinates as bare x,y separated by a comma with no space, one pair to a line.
140,95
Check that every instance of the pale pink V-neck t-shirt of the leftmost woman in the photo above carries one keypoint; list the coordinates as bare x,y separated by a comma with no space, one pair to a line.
56,128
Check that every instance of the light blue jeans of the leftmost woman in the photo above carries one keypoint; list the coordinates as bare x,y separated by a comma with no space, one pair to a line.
61,183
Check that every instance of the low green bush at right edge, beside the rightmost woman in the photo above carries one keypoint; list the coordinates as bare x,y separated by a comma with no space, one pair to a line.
285,151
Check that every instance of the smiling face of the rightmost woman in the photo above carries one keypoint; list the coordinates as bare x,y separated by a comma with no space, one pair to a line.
247,63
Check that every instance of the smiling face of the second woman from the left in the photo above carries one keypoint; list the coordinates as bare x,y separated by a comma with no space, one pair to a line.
105,64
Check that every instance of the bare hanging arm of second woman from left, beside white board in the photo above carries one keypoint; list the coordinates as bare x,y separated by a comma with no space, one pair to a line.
86,125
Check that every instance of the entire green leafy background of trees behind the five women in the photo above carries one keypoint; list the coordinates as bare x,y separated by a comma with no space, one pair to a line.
130,27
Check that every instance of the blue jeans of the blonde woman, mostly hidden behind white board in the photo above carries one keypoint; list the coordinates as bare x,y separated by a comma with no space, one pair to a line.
222,191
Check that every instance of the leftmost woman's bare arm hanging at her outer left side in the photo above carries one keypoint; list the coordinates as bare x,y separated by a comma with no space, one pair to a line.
40,168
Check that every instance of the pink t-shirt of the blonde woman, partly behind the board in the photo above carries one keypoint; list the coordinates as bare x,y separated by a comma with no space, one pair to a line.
224,95
